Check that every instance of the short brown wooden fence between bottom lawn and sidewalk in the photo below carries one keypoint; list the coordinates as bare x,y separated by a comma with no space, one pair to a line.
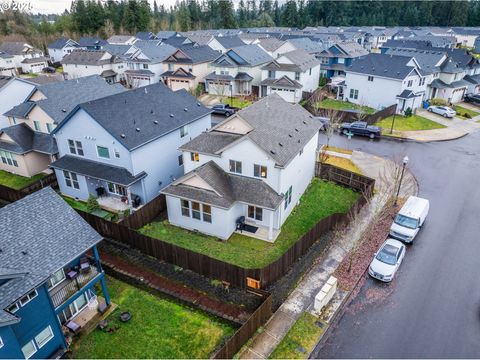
246,331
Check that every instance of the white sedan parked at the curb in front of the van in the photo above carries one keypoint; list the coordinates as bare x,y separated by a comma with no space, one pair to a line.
387,260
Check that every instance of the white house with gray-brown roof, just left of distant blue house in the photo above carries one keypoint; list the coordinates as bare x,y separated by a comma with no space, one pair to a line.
290,75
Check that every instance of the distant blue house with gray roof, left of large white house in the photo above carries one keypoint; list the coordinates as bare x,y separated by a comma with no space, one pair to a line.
337,57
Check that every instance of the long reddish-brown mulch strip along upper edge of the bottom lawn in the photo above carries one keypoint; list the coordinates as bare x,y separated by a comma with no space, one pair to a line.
217,307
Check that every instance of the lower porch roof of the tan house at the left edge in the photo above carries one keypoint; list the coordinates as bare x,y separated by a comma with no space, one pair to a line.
26,140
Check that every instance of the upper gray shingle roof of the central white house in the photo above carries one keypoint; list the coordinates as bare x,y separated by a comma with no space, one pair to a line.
281,129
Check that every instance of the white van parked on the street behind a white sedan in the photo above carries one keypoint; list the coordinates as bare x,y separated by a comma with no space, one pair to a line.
410,219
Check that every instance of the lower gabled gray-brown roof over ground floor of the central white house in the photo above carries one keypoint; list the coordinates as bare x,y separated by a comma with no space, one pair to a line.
229,188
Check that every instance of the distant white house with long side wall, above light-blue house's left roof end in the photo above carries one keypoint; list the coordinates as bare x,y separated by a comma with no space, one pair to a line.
81,63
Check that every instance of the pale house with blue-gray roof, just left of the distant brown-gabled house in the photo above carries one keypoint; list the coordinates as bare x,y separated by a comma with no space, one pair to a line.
145,63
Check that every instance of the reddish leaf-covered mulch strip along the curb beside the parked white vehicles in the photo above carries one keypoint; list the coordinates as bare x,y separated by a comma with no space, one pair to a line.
354,265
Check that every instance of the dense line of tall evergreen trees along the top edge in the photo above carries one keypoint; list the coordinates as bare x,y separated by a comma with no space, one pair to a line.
105,18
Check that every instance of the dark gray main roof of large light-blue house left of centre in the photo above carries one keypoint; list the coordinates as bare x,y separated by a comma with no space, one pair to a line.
154,110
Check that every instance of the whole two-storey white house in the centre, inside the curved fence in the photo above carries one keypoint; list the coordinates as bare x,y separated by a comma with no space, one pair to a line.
250,169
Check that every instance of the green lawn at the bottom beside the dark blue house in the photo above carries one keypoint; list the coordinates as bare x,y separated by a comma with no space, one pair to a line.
159,328
